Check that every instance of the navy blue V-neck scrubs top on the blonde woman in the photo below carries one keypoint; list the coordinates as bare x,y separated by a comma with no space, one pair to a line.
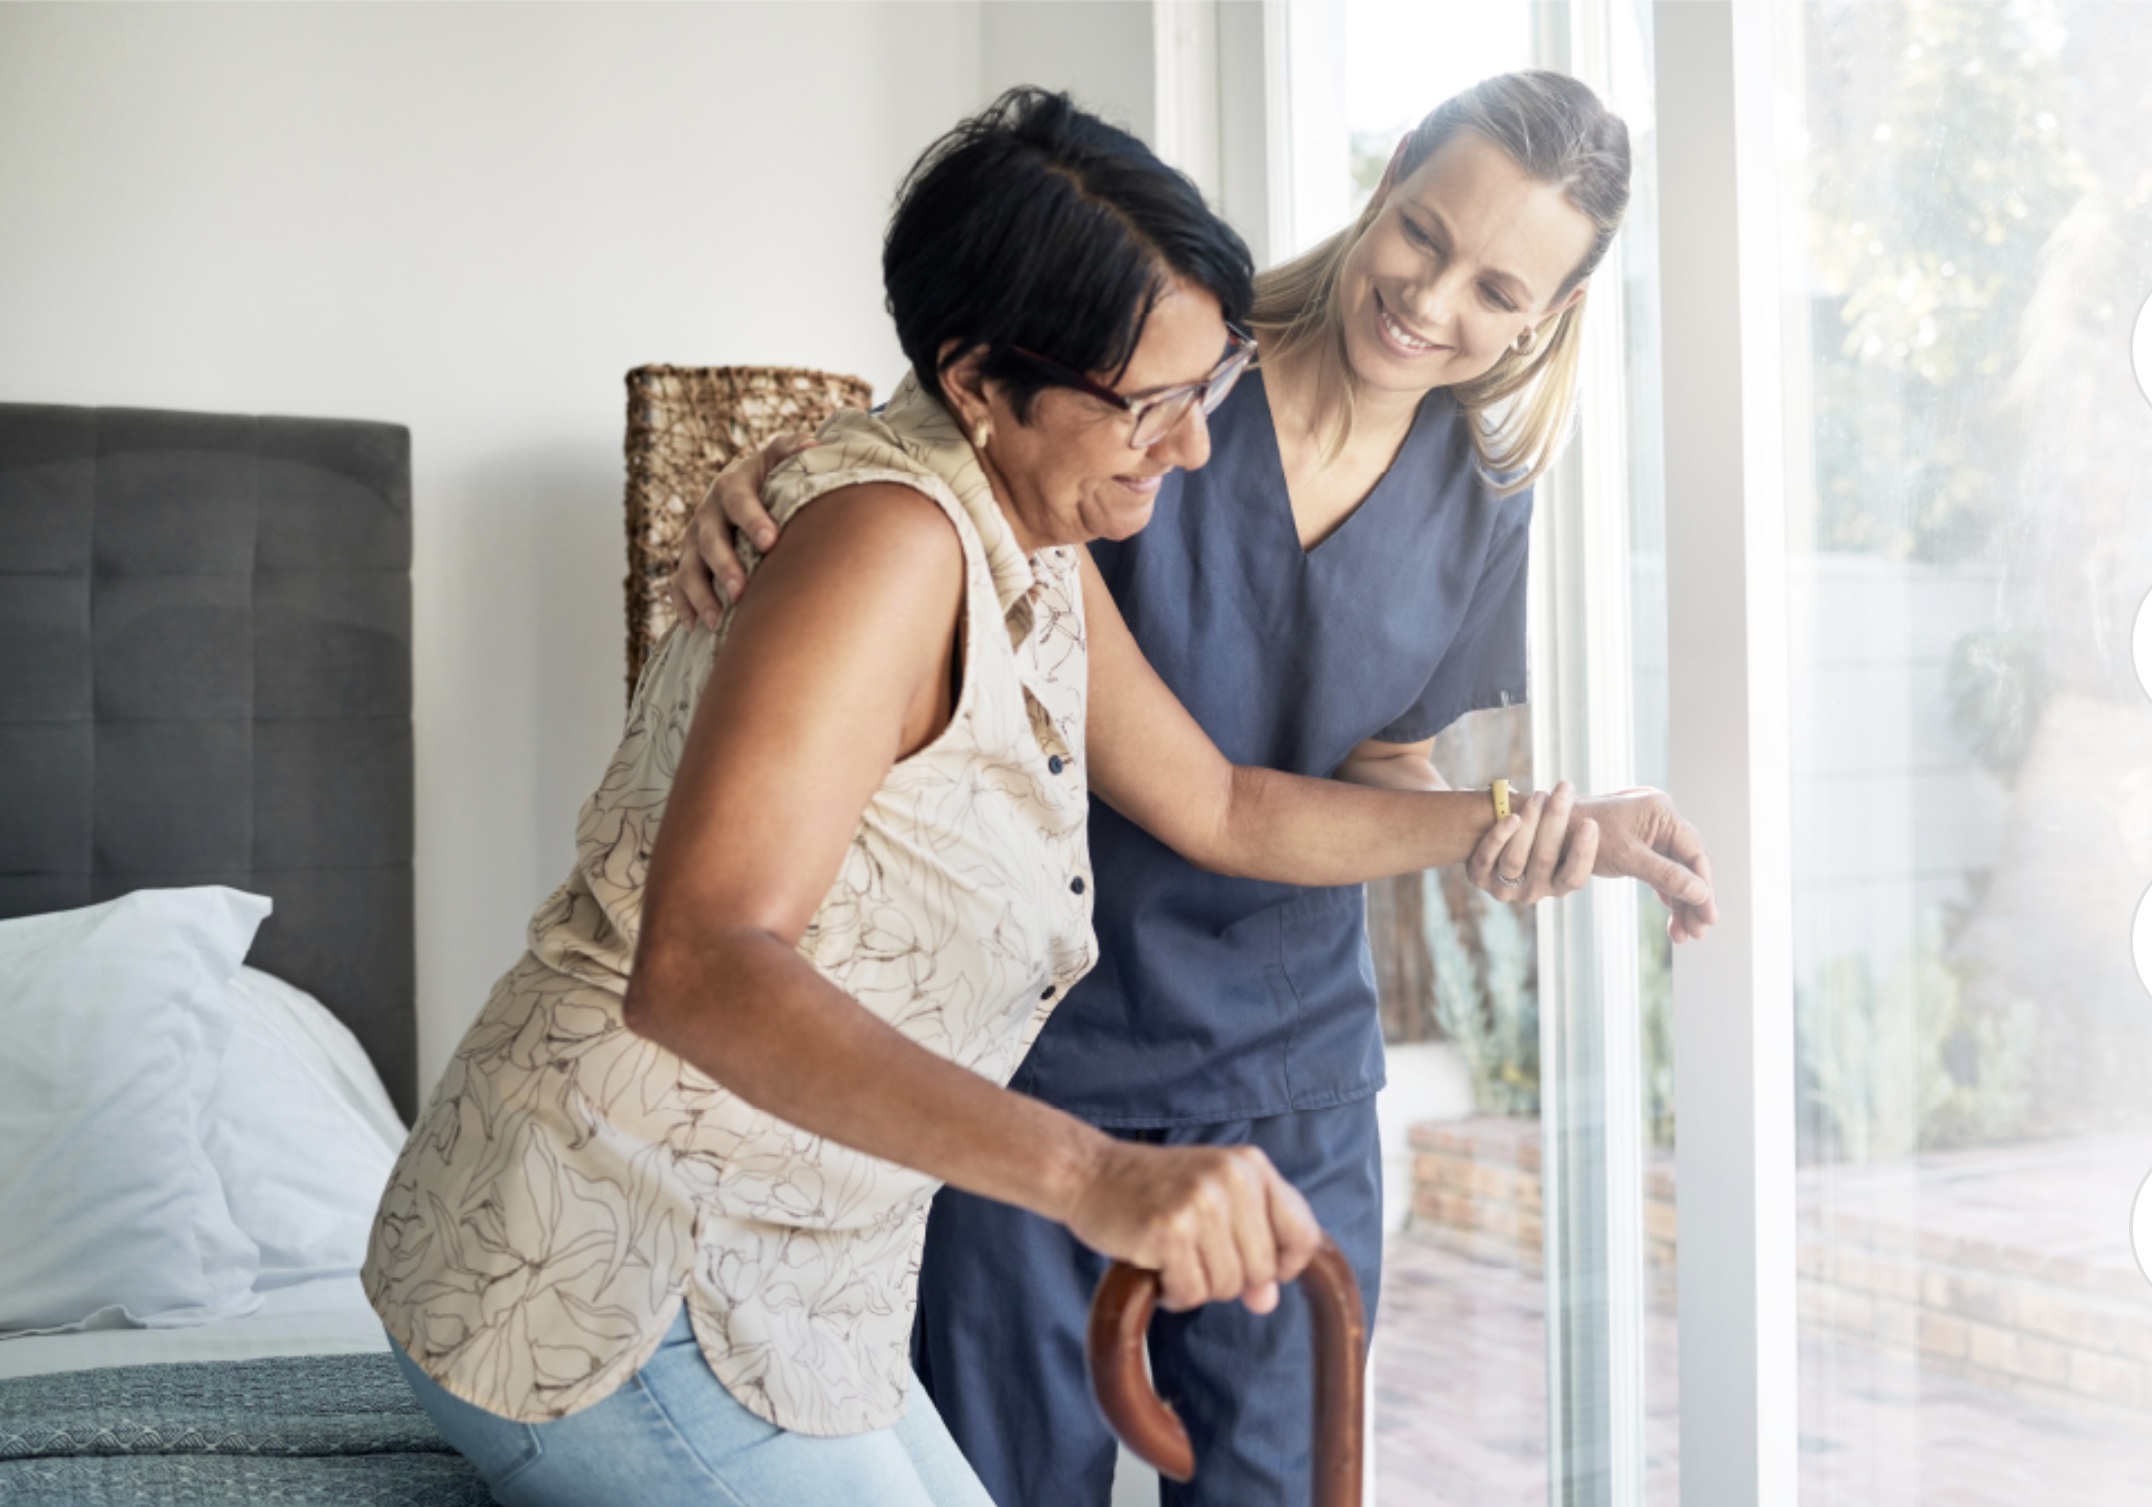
1232,998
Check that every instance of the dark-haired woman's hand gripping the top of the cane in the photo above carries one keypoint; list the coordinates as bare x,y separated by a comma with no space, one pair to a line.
1215,1222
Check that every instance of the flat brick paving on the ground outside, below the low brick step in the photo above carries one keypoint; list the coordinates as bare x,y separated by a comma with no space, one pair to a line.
1460,1411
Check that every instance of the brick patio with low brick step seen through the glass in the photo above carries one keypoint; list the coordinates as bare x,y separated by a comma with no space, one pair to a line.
1974,1332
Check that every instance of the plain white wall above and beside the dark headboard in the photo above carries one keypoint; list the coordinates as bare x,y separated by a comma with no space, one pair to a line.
470,221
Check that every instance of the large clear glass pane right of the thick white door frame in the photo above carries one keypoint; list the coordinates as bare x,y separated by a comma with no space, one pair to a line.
1972,533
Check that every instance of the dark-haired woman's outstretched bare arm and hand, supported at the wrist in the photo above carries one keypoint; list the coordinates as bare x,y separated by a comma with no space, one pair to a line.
1157,765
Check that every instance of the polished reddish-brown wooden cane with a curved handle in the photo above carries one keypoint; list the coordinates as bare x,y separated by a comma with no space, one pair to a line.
1122,1319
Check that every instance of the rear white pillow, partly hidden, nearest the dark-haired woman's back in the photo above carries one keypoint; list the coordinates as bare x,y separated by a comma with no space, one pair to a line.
300,1129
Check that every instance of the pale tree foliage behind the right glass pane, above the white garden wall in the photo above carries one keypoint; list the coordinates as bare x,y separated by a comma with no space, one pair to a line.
1938,171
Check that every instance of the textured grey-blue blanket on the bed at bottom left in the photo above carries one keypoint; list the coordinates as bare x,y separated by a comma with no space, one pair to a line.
287,1433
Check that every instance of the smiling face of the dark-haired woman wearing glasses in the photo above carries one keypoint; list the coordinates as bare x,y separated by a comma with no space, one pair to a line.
1068,475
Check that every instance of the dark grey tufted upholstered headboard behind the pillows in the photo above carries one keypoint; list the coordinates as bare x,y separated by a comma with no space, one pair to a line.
206,677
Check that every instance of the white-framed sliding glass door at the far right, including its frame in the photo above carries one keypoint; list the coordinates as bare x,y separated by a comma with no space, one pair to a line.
1908,537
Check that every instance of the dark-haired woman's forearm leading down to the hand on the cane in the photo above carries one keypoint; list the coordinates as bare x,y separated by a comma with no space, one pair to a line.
750,1013
